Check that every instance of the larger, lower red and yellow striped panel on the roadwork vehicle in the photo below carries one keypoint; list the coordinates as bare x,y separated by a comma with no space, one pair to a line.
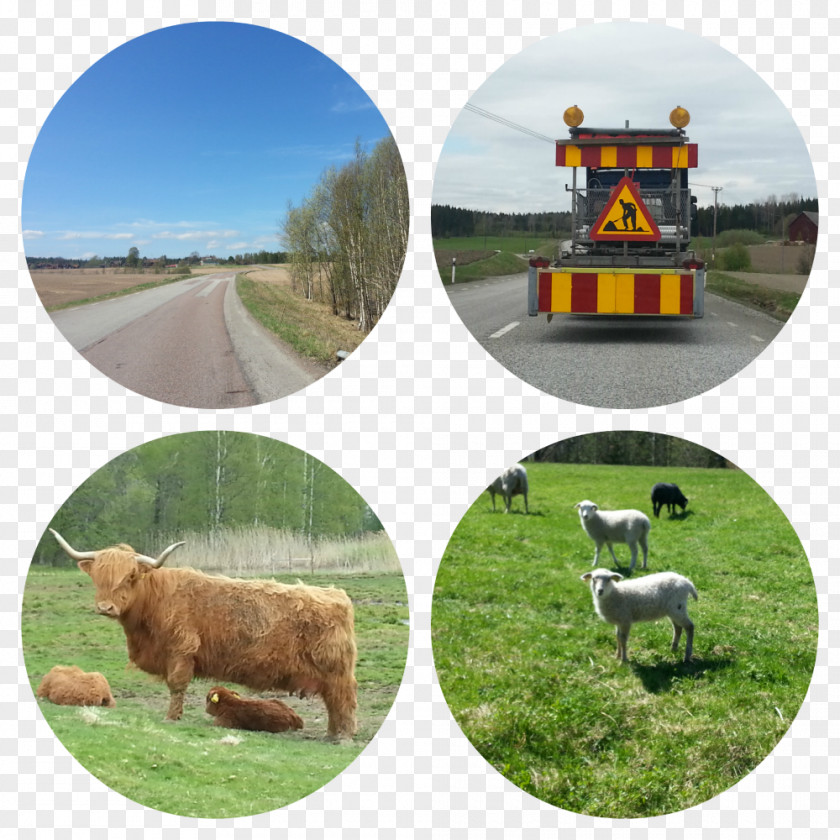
621,292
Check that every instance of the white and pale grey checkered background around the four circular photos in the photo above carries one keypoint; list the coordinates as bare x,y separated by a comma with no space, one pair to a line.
420,419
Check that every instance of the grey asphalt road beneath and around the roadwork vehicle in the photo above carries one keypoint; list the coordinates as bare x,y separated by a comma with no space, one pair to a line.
611,361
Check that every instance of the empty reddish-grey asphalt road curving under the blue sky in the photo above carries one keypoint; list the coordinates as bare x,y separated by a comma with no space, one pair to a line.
190,343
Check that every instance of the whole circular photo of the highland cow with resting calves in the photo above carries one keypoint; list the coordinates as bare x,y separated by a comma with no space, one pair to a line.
245,654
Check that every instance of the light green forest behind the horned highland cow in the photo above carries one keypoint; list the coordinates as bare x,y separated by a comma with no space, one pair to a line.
207,482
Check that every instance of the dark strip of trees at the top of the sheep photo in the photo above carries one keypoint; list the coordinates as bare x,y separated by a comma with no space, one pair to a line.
634,449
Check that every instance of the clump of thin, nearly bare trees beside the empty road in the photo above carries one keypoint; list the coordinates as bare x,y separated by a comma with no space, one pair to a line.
347,239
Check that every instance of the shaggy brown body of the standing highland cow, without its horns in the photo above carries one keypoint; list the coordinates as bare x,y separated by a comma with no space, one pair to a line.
182,623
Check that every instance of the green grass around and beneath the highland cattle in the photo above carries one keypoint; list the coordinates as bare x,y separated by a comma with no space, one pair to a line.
190,767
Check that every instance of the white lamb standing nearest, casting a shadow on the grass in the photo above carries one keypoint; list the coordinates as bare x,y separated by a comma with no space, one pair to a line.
624,602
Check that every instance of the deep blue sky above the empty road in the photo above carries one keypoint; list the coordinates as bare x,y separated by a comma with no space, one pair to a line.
190,138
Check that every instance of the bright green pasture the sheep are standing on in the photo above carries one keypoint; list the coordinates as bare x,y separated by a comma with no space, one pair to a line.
528,668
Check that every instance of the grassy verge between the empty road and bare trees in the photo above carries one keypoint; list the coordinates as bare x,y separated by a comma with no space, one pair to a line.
306,326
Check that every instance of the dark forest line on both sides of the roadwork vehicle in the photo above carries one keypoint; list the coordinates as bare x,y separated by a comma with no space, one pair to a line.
769,217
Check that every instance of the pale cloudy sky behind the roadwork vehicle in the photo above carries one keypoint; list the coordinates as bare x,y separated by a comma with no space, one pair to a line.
748,143
